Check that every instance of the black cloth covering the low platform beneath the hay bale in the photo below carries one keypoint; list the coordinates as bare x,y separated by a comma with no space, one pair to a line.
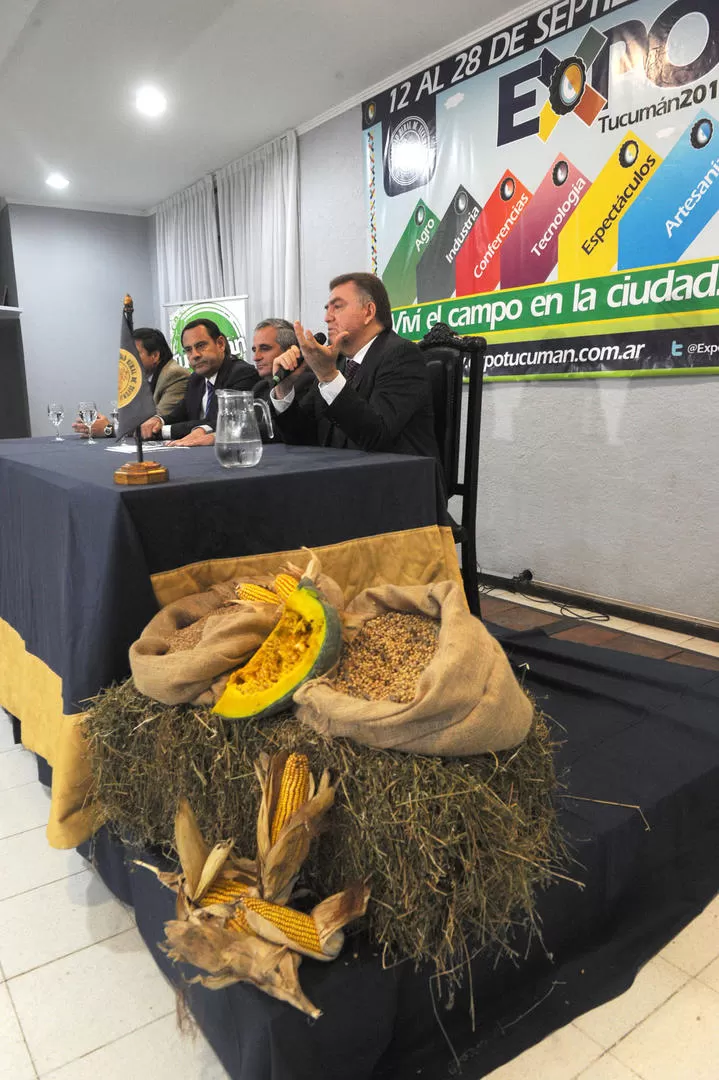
633,731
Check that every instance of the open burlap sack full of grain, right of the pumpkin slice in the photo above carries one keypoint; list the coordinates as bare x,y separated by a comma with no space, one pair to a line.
459,698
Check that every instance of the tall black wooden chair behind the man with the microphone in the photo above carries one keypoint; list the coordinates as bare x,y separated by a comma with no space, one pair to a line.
451,360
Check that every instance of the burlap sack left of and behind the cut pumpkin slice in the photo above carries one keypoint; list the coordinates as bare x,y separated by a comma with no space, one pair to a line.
199,676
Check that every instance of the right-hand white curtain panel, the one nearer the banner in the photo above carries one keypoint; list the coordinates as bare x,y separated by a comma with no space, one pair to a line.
257,200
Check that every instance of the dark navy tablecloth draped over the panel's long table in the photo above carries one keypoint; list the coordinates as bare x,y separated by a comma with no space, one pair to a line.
77,551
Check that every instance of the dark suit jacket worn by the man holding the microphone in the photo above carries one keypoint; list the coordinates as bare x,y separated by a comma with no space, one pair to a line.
388,408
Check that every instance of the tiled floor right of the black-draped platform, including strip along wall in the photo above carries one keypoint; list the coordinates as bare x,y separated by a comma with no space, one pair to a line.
667,1027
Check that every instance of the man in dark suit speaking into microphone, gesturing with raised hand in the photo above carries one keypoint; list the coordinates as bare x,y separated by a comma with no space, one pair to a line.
369,389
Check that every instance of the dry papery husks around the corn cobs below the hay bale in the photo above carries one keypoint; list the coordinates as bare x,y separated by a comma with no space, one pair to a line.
209,937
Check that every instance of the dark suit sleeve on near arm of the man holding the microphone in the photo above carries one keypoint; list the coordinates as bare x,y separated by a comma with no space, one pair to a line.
401,388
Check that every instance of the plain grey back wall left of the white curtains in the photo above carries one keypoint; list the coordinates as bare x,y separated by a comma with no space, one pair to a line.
74,269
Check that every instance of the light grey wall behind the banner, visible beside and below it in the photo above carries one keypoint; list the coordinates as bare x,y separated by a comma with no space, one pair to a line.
609,488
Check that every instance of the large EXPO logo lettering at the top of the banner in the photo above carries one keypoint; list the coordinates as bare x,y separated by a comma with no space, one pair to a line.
643,49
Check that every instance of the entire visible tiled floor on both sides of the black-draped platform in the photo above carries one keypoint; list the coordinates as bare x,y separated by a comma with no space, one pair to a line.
82,1000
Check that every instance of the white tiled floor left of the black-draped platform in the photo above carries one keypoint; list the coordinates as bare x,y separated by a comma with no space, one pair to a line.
80,996
